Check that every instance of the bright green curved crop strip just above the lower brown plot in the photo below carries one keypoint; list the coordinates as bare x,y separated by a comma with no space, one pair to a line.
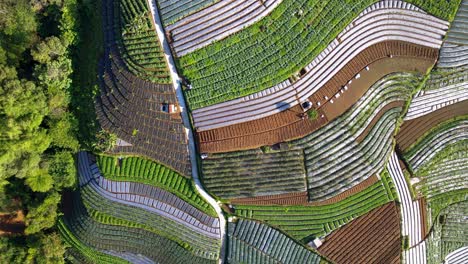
304,223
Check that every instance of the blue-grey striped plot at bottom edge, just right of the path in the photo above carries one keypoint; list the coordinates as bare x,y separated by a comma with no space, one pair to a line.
254,242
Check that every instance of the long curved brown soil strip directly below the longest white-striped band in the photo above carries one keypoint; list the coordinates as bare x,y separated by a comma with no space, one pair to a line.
288,125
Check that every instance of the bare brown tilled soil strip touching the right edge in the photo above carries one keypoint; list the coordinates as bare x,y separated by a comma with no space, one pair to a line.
413,129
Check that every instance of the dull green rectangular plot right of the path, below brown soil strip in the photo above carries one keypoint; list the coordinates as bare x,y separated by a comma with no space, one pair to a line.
254,173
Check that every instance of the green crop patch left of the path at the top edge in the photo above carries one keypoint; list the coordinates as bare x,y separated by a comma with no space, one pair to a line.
140,47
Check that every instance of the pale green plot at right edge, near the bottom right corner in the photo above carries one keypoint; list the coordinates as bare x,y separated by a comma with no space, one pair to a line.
449,232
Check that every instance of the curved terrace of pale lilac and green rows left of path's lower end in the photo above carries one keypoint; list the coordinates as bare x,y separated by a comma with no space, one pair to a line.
151,209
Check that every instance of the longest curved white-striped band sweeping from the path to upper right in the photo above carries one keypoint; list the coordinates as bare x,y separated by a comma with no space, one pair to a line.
375,24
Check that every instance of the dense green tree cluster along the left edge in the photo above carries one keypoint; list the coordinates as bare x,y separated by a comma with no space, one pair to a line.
37,130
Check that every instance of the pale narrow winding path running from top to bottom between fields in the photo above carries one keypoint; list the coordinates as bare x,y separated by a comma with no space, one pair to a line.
188,130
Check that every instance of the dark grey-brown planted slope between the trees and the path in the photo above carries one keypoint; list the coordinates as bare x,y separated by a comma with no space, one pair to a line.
131,108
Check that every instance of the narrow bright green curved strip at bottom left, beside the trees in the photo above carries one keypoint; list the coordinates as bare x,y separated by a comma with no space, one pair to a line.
86,251
